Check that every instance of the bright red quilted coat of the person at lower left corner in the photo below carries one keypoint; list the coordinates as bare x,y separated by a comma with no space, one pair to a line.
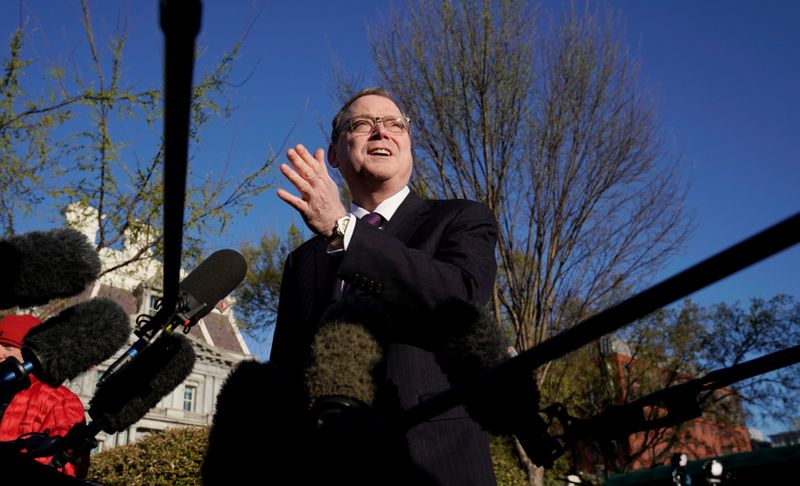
42,407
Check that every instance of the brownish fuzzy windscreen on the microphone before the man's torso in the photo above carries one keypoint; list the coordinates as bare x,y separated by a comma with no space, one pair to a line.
347,354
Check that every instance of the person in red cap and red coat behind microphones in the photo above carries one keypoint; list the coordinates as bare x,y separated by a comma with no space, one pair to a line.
40,407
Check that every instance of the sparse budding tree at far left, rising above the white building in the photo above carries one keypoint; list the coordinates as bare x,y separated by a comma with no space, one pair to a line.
97,168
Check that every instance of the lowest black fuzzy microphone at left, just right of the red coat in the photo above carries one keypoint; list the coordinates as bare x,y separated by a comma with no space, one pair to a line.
128,395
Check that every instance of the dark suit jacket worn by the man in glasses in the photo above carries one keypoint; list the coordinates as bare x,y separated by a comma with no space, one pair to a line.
429,252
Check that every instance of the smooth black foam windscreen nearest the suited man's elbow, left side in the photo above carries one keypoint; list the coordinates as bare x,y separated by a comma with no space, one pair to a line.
214,279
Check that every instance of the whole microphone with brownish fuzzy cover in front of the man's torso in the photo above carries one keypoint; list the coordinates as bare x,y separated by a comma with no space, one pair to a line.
346,390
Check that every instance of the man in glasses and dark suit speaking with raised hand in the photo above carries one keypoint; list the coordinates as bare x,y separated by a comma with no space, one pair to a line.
417,254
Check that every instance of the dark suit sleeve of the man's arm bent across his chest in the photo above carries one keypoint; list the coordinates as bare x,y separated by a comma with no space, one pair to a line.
455,259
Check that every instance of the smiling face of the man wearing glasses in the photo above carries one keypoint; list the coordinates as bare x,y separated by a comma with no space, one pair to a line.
377,160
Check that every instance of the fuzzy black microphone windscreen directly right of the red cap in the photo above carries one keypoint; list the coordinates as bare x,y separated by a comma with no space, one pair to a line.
75,339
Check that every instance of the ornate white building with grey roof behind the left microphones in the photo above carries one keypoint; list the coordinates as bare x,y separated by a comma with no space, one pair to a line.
216,340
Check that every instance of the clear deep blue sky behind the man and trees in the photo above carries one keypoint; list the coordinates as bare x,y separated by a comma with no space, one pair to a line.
724,76
